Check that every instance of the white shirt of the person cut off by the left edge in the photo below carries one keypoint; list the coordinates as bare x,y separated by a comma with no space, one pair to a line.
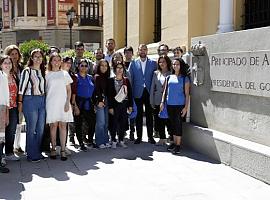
4,97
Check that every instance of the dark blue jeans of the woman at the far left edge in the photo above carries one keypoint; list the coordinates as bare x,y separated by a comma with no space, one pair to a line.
11,130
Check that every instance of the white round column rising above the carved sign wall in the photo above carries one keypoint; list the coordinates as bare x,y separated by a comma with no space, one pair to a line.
225,16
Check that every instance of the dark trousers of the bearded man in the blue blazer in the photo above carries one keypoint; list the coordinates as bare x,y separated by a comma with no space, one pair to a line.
144,100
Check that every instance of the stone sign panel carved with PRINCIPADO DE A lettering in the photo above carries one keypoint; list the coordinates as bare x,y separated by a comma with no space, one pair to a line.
241,72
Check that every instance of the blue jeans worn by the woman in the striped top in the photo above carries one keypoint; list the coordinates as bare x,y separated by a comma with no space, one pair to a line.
34,113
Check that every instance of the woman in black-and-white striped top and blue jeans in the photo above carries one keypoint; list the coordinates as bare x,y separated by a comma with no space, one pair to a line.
32,102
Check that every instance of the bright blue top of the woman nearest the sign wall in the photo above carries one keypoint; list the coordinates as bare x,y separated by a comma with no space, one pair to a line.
175,92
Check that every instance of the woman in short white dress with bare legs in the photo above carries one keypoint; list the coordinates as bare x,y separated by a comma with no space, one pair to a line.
58,108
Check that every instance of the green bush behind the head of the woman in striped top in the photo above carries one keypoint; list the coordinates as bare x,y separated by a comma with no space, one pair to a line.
28,46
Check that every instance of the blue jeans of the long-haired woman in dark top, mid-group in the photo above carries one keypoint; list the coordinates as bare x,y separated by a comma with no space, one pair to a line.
102,136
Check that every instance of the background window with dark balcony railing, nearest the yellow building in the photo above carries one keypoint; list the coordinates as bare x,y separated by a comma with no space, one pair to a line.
89,13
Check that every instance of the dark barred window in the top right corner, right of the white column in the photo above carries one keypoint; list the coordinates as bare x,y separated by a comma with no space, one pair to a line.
257,13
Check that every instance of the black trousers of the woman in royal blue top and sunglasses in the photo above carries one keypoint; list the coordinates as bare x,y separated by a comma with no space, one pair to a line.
89,117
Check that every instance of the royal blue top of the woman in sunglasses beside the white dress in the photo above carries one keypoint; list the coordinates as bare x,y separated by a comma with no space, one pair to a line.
85,89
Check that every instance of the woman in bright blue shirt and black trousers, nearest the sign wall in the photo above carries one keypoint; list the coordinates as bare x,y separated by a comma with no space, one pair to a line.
176,93
